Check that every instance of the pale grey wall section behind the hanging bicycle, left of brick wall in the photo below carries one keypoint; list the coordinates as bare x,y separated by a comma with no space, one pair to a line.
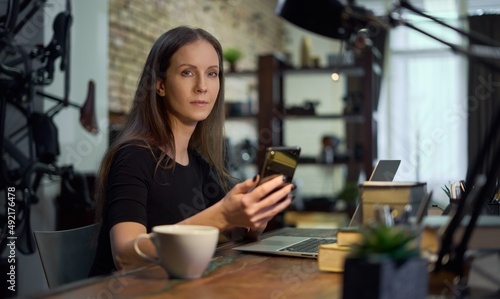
89,61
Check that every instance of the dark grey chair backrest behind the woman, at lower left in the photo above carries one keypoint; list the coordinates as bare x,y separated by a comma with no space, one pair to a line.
66,255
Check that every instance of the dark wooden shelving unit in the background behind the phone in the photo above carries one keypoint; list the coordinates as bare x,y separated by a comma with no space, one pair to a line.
361,128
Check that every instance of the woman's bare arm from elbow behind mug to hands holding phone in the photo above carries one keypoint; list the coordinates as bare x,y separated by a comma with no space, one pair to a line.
244,206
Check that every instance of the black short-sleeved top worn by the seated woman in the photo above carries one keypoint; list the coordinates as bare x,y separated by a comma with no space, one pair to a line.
139,191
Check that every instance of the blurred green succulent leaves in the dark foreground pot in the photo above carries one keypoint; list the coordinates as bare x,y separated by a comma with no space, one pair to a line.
381,242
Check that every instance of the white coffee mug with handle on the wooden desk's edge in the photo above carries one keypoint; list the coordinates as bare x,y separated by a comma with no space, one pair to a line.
184,251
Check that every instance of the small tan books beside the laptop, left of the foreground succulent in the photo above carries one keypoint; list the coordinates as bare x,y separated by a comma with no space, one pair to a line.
331,257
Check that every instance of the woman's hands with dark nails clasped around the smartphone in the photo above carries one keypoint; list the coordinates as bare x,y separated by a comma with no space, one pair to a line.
251,206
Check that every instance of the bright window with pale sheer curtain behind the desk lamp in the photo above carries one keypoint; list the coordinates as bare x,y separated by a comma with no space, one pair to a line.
422,113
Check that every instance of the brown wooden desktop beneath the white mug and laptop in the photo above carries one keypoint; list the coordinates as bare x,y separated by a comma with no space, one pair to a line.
231,274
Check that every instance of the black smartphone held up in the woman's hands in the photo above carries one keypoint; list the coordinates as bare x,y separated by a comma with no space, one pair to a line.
280,160
